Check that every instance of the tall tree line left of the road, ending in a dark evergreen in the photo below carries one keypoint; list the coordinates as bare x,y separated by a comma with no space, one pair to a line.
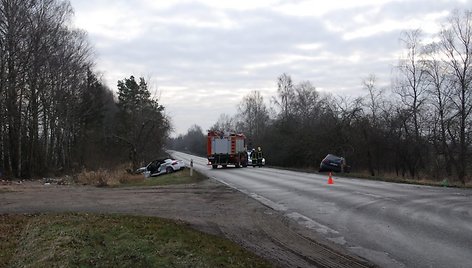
56,115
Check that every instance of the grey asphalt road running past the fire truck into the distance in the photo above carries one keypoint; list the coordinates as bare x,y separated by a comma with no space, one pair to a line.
392,225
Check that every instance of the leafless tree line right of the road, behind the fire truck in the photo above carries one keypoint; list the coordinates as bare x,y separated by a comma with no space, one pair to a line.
420,126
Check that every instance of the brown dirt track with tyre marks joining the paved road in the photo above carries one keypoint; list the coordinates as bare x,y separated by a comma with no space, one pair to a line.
207,206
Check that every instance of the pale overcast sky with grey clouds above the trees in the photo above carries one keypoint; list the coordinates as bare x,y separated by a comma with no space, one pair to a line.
202,57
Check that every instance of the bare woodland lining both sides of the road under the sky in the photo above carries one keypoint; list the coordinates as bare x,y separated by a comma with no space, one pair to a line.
57,116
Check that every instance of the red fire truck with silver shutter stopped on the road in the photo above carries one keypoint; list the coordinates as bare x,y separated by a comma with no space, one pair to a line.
225,149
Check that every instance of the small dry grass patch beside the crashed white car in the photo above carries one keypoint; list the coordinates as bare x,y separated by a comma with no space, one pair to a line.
178,177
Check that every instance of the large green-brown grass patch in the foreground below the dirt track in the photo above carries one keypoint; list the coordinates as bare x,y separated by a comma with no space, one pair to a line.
97,240
